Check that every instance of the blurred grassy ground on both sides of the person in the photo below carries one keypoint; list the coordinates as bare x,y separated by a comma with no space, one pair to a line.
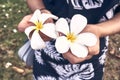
11,12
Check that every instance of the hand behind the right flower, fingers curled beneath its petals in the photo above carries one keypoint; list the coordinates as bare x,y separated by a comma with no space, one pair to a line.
93,50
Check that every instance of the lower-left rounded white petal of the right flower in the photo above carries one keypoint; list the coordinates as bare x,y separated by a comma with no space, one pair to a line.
62,44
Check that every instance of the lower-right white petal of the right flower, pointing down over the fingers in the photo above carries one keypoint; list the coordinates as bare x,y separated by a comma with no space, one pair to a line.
79,50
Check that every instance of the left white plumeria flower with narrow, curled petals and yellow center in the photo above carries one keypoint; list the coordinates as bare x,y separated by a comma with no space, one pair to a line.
48,29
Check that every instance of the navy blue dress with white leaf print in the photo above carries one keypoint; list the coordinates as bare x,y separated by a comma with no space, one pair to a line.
50,65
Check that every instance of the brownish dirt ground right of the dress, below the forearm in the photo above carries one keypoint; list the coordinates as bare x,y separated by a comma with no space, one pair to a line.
112,65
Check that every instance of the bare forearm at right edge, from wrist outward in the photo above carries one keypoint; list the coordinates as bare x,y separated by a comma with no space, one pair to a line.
111,26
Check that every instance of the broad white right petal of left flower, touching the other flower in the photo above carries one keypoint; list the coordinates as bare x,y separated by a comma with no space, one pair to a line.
49,30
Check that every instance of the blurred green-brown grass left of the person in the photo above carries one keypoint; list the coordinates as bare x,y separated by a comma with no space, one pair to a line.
11,12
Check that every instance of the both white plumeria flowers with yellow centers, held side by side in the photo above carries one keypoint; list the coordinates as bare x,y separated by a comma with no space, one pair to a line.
71,38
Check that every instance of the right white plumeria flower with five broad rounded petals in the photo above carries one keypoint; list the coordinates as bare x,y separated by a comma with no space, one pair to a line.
71,38
